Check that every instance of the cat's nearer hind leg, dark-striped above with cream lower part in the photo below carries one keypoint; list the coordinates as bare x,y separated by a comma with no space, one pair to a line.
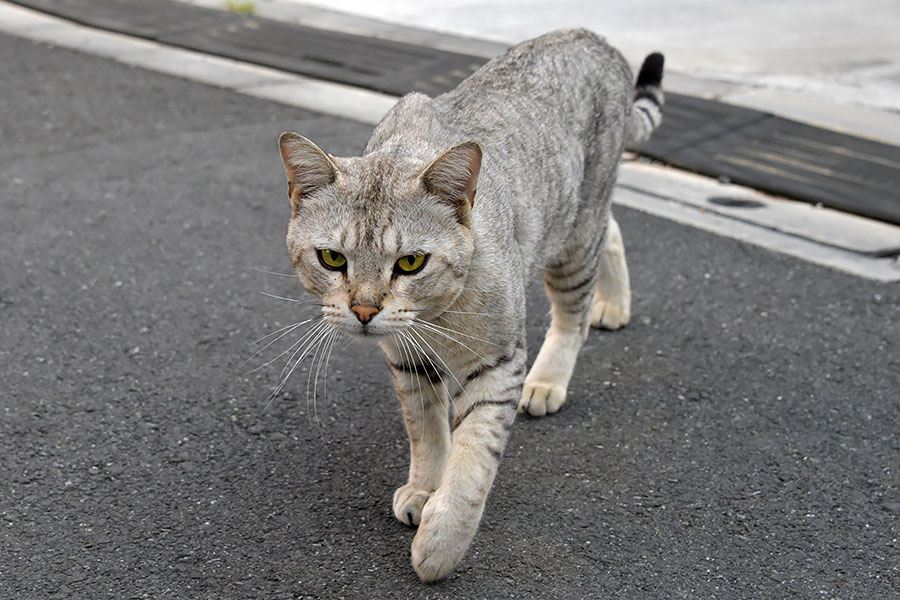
570,287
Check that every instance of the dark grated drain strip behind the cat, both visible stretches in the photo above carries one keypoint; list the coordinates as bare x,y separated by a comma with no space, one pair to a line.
750,147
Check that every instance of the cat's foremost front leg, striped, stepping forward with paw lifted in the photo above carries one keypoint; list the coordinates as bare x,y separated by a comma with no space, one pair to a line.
484,410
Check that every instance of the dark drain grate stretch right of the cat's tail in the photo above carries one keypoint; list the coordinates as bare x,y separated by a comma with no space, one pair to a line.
780,156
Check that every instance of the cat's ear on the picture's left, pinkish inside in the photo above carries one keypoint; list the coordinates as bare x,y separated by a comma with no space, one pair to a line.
307,167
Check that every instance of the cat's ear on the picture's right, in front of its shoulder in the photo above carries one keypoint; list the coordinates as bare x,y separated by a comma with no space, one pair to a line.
453,177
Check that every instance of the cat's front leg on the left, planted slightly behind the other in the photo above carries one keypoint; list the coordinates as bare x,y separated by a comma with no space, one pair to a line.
423,400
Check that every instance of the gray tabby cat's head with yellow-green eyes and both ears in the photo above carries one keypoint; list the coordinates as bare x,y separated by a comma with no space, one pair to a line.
380,239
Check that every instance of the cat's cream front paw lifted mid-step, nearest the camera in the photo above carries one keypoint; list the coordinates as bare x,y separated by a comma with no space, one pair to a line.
442,539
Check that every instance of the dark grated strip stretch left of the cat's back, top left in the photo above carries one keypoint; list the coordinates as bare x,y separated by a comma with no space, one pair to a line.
384,66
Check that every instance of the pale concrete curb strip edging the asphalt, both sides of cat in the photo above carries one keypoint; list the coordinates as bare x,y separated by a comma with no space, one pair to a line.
666,193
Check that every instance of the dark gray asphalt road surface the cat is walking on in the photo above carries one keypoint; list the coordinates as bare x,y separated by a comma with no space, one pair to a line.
738,440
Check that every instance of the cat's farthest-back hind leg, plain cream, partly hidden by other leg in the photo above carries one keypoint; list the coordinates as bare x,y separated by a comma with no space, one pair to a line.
611,307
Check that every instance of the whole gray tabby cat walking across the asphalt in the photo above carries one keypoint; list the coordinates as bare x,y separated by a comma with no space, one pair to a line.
400,249
